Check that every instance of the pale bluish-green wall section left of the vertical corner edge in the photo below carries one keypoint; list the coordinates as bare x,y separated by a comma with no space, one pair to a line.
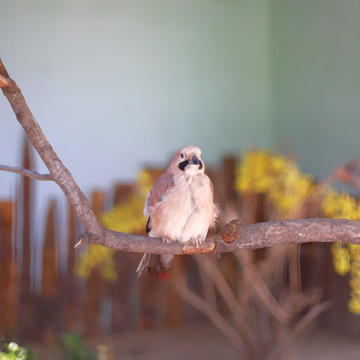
121,83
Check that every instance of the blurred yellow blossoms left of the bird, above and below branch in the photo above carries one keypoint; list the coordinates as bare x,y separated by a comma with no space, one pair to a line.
125,217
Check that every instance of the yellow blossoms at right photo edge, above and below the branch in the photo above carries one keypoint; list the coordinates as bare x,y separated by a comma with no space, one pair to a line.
346,258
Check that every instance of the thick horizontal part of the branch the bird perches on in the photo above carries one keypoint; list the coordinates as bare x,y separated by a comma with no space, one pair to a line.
253,236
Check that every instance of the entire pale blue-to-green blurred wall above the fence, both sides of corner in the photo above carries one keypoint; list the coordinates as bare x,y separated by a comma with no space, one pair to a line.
136,79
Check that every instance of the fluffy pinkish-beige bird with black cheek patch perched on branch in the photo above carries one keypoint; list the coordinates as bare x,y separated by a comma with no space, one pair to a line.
180,207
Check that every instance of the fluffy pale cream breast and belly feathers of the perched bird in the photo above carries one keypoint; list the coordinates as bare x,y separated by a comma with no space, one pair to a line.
184,211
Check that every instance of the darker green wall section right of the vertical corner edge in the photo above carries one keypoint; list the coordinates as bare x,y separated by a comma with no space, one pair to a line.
316,81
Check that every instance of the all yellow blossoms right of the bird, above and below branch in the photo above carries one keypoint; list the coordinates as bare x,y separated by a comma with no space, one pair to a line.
263,172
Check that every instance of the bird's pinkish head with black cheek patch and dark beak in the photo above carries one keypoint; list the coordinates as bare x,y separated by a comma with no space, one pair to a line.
188,160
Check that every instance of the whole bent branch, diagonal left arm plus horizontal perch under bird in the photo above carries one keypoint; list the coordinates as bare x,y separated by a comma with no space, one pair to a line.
234,237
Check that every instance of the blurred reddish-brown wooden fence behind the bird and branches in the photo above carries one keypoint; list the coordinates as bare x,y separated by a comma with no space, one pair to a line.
95,306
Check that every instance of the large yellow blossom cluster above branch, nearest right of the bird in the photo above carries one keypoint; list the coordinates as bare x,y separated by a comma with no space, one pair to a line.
280,178
